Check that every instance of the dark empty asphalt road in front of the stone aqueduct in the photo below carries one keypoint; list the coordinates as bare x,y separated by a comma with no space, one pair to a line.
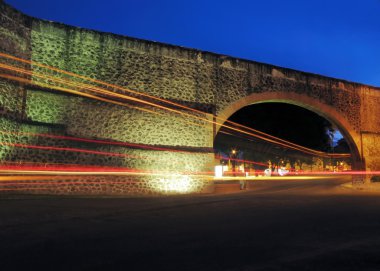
279,225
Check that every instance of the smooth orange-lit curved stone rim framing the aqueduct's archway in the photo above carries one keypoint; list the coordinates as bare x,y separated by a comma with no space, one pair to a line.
330,113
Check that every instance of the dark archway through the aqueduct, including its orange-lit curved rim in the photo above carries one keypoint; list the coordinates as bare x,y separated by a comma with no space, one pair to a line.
336,136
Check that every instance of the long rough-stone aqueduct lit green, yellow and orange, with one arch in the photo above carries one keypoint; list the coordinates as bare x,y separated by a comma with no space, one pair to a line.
215,84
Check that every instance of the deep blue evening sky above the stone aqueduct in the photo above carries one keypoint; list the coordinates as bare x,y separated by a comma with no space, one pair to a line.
336,38
